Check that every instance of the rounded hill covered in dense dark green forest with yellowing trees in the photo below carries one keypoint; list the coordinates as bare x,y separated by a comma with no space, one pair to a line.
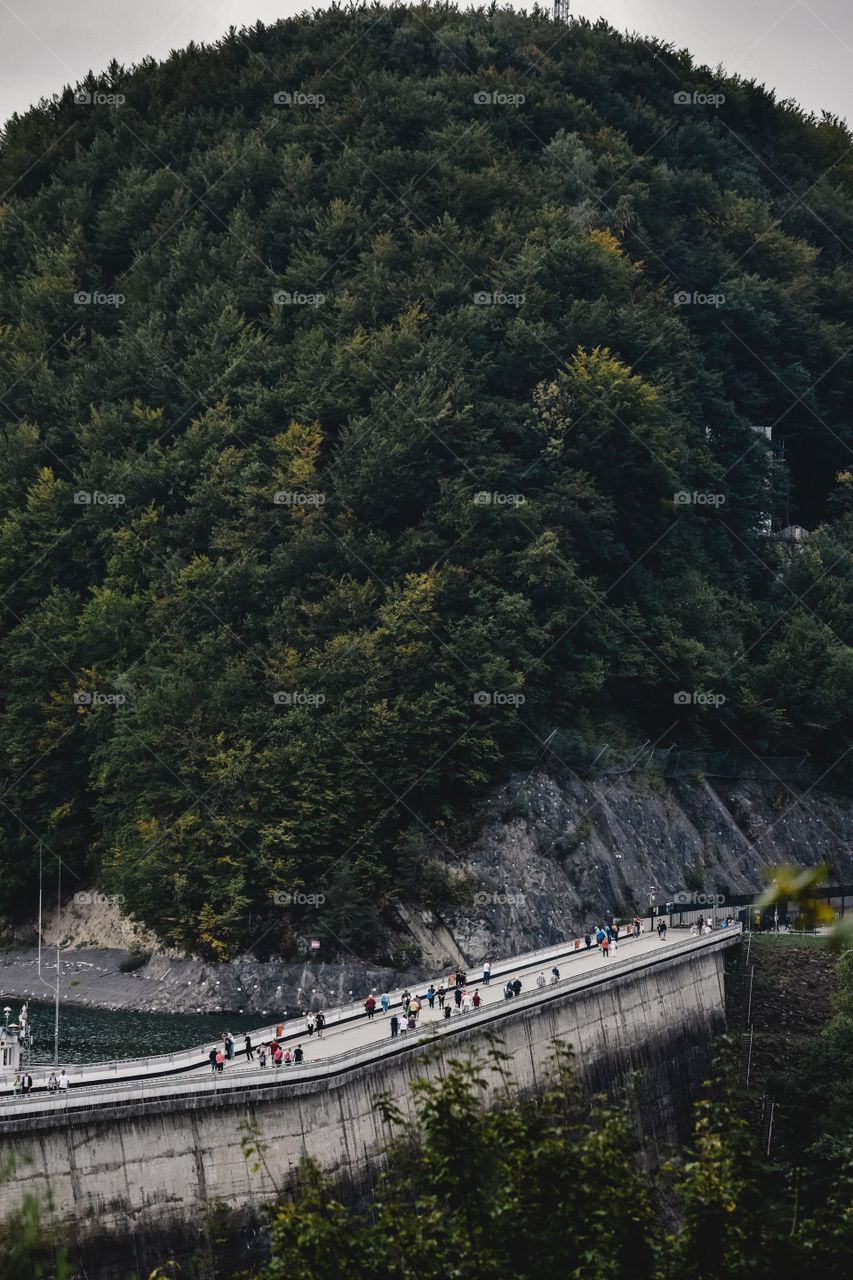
384,391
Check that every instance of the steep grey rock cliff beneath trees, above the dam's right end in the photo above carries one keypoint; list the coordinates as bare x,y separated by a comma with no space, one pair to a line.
555,856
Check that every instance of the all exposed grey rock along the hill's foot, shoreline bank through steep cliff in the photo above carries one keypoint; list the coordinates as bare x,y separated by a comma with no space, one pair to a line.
551,858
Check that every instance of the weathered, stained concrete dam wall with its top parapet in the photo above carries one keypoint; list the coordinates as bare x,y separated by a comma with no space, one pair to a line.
135,1172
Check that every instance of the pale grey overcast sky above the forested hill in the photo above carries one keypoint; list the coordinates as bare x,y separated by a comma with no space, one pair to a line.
804,51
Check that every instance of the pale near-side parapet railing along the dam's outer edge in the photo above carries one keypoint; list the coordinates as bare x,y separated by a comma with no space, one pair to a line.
150,1090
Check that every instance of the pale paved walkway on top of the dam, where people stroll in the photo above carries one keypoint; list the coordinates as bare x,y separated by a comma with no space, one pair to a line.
349,1034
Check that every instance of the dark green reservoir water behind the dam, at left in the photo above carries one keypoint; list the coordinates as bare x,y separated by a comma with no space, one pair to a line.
95,1035
